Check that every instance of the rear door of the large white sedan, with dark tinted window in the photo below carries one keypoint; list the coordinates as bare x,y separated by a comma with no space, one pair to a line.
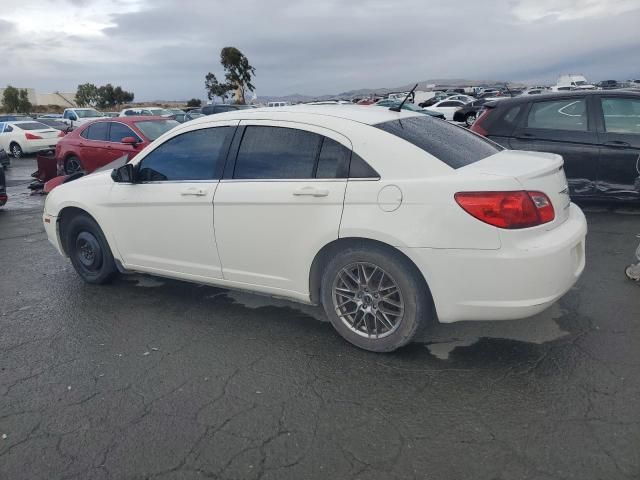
279,202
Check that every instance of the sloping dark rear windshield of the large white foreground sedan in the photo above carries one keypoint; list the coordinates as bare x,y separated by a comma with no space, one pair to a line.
452,145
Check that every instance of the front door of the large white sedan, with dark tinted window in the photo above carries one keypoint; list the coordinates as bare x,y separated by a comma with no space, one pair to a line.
164,221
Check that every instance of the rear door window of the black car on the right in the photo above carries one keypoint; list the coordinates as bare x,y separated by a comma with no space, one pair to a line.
567,114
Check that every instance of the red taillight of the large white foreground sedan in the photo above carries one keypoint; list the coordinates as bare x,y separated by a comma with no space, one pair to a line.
510,210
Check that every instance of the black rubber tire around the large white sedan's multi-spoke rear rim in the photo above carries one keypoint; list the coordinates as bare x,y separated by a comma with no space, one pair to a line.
414,295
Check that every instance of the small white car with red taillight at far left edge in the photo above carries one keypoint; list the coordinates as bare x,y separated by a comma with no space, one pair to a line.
28,136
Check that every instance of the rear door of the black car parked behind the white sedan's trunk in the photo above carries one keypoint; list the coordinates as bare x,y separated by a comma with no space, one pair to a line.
562,126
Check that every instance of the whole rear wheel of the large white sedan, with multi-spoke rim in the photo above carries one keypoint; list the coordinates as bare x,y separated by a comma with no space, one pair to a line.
375,298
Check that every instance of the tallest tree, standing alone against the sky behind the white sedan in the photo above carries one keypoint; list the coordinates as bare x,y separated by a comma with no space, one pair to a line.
238,75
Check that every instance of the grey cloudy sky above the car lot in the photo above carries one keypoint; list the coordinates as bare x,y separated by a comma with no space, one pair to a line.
162,49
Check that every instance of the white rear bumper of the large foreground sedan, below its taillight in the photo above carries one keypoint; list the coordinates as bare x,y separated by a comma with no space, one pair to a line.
508,283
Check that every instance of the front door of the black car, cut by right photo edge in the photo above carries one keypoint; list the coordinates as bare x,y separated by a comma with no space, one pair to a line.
619,135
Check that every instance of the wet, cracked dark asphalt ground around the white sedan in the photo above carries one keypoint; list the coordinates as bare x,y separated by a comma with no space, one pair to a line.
150,378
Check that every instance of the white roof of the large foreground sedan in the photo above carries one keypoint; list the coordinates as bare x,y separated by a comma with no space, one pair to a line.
324,113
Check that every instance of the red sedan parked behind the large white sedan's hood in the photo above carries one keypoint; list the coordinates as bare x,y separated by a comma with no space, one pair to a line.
102,141
